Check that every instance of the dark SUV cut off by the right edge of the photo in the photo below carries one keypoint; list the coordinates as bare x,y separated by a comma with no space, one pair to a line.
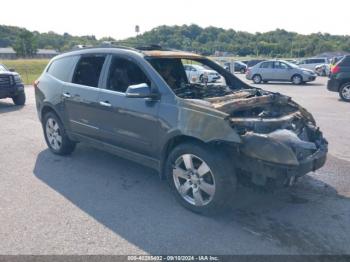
339,80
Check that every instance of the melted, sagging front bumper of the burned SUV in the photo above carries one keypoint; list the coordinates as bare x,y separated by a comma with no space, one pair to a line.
264,161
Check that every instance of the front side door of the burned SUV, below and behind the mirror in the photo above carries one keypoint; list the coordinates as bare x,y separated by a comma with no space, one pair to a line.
127,123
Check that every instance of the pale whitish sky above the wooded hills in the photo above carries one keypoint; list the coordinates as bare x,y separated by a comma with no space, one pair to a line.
118,18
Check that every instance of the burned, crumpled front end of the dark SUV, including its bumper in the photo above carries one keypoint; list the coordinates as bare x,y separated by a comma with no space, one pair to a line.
280,140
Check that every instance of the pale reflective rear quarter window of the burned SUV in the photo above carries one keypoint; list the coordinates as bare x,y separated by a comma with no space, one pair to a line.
62,68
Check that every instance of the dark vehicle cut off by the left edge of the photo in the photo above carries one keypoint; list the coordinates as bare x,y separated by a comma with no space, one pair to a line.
11,86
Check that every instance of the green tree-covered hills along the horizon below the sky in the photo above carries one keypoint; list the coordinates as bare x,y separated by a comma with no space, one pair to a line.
277,43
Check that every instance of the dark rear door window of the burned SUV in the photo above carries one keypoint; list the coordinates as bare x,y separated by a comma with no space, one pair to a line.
88,70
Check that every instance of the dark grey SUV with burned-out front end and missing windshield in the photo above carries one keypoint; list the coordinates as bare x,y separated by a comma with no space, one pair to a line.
204,138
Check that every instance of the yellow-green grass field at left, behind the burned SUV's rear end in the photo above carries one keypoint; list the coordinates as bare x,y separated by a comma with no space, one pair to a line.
29,69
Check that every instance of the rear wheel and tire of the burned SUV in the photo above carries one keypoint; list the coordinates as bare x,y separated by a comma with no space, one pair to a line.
55,135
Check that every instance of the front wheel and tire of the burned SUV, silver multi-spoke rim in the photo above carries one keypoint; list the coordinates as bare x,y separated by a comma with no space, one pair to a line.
208,185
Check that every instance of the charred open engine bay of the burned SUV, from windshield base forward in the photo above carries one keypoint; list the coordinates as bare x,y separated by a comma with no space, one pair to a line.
273,128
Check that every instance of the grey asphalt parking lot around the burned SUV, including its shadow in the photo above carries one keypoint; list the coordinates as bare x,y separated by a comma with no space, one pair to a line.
95,203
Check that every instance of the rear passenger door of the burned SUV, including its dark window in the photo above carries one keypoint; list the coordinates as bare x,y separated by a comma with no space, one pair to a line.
80,96
